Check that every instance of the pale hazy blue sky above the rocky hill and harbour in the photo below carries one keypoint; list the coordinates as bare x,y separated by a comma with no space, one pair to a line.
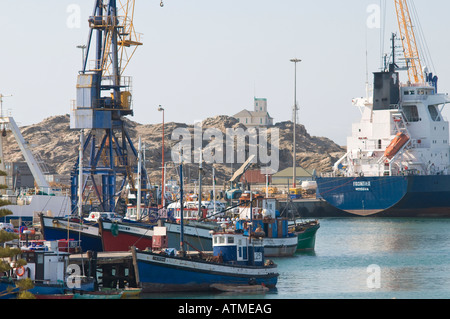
203,58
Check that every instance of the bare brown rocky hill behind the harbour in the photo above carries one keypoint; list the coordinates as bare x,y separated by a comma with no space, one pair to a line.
56,145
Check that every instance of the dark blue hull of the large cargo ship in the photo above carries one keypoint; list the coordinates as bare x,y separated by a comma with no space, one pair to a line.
394,196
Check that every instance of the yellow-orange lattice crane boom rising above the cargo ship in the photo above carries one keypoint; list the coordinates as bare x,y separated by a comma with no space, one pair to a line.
415,73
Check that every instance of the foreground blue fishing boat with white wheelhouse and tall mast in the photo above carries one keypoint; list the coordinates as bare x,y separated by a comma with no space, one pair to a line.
236,260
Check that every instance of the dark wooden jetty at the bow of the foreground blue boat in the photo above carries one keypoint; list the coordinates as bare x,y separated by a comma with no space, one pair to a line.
112,269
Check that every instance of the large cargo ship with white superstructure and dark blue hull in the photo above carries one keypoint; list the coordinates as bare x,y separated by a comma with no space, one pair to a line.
398,155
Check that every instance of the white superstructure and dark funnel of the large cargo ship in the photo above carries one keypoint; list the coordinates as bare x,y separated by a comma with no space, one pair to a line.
415,112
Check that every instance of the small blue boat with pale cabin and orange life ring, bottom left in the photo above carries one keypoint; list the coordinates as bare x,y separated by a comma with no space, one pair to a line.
47,268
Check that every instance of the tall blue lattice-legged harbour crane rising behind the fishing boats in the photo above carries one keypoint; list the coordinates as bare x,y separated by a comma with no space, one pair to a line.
104,98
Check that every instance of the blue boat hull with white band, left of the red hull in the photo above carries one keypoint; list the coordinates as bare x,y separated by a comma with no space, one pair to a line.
57,228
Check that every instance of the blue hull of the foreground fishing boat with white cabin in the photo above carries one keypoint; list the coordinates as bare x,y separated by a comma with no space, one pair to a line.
158,273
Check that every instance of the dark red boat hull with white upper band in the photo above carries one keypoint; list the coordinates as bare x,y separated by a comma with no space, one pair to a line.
123,236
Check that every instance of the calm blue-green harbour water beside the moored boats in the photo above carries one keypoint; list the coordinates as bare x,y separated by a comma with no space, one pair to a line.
363,258
